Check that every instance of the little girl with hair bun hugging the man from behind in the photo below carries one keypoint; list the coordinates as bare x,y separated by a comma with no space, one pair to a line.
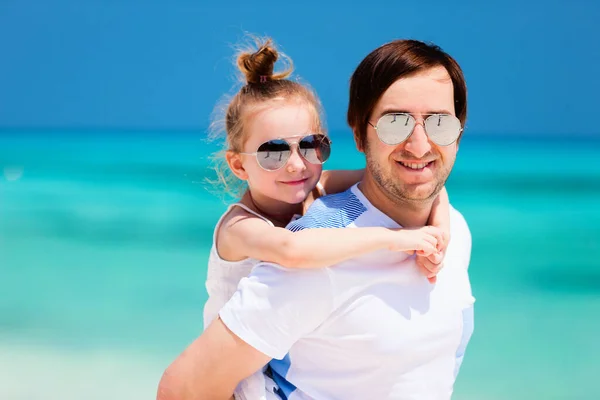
276,143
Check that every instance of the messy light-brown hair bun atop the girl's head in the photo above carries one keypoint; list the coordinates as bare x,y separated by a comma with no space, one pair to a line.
258,66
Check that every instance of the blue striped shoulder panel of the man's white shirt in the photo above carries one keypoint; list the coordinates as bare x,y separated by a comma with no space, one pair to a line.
332,211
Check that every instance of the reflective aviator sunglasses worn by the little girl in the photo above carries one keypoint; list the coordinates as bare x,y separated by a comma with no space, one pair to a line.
274,154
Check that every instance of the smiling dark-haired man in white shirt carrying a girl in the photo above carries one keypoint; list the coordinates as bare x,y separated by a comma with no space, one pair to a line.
372,327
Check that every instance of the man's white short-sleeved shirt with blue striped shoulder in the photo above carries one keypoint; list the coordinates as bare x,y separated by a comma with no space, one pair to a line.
369,328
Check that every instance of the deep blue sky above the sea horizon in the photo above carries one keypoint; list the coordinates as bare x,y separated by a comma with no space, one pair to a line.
531,67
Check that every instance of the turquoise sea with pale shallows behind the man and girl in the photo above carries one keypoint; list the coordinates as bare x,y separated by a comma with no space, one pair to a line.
104,238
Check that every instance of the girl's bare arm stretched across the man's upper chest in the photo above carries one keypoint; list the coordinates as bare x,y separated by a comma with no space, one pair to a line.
244,236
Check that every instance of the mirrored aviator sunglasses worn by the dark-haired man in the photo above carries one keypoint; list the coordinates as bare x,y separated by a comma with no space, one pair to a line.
395,128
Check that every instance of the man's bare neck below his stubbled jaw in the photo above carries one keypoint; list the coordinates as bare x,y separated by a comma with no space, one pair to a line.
406,213
